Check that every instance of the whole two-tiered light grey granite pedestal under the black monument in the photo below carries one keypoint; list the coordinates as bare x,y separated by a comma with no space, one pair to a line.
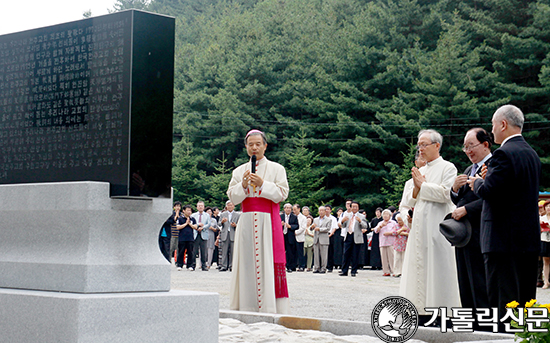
79,266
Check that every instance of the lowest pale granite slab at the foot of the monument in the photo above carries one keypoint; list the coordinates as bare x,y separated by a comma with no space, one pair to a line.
53,317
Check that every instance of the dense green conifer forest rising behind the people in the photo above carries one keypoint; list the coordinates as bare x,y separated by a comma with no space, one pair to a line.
341,87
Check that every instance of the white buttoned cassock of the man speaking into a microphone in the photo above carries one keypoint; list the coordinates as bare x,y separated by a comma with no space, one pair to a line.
253,284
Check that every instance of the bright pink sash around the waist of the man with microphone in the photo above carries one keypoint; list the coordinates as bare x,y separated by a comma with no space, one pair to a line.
264,205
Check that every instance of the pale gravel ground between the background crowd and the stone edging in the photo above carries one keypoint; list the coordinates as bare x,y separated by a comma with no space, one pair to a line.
314,295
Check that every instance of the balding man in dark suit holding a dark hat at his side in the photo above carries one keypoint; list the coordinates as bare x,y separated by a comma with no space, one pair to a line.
469,259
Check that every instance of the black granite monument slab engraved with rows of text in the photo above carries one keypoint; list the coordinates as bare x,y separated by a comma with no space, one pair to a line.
90,100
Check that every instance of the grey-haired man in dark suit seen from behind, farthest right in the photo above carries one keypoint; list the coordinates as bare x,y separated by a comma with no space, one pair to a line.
510,228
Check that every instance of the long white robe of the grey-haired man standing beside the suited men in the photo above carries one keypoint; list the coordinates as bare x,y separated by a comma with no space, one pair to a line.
429,269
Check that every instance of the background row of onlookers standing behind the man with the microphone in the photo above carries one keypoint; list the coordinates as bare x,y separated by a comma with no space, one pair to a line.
317,244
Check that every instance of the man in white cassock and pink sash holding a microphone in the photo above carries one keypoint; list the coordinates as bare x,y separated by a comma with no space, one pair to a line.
258,280
